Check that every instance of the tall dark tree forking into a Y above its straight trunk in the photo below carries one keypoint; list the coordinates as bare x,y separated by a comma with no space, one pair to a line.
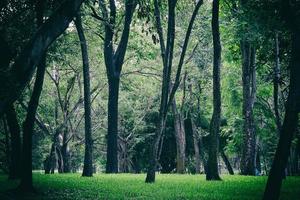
114,60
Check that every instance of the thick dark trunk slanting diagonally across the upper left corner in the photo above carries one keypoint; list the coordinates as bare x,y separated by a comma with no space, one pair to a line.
14,81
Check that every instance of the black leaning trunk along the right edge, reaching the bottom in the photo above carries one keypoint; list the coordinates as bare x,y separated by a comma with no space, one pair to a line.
291,117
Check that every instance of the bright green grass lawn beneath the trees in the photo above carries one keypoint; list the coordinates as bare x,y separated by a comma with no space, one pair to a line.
132,186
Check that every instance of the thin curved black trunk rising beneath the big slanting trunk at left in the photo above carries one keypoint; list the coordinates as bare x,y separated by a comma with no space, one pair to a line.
28,128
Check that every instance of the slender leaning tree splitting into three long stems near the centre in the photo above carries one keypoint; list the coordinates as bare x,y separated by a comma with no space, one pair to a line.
167,58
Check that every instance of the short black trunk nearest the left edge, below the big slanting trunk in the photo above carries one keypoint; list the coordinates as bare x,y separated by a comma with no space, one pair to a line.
15,138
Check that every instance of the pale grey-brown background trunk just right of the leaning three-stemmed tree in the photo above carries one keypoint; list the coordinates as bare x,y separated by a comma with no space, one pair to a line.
180,139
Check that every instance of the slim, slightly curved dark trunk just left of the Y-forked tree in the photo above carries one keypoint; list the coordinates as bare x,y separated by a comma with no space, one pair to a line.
88,156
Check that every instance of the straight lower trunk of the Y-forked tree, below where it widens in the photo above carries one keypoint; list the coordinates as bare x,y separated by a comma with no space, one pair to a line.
112,130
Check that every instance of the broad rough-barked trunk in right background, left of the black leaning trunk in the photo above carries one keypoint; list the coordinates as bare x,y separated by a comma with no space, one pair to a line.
249,92
